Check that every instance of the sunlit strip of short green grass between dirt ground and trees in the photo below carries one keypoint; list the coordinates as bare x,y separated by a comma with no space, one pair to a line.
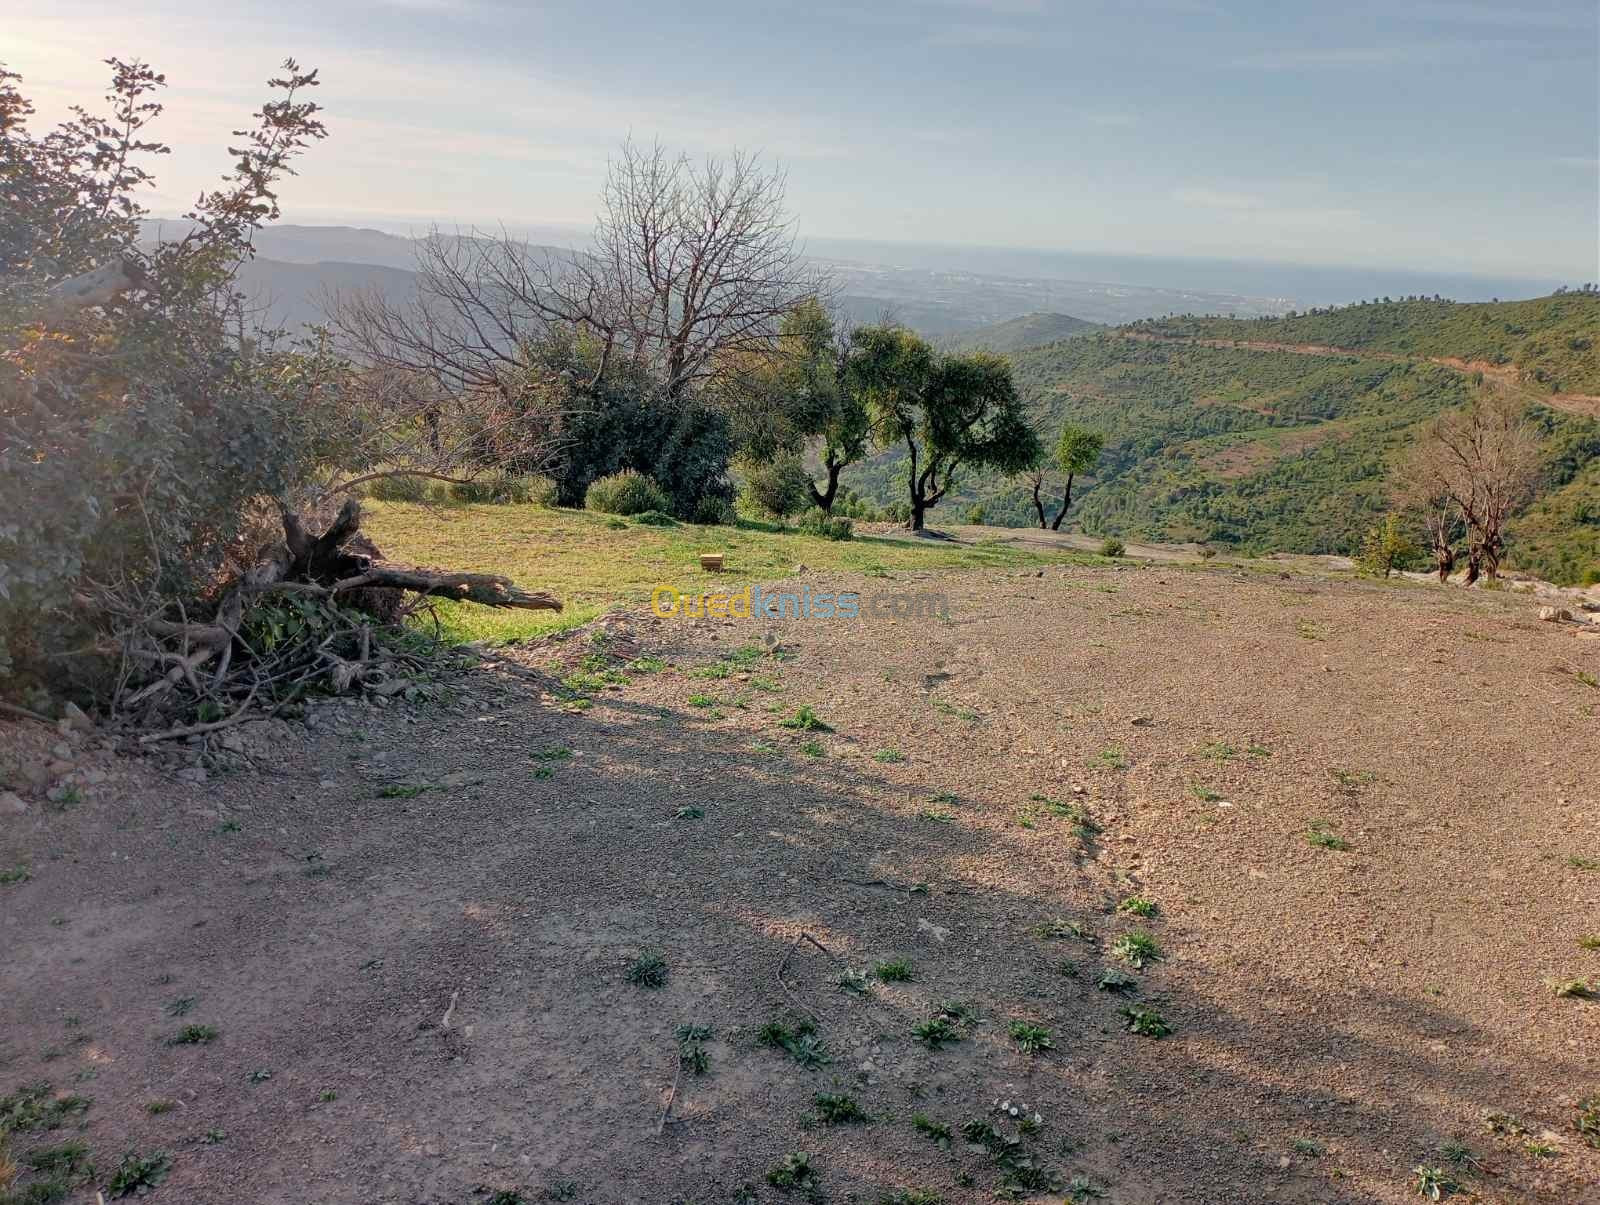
594,566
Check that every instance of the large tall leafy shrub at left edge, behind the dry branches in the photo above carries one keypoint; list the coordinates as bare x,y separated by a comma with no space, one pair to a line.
142,434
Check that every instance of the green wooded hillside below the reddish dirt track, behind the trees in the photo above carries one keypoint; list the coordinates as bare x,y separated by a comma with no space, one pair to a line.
1257,450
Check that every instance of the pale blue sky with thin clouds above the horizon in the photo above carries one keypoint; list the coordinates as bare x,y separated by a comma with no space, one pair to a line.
1442,135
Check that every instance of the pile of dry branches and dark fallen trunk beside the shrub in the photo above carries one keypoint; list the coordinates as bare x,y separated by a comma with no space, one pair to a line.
314,615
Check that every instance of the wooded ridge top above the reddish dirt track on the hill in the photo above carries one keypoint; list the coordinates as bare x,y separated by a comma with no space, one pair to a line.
1553,343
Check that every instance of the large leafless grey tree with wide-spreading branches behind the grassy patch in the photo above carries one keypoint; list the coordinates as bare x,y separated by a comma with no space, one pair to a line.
690,276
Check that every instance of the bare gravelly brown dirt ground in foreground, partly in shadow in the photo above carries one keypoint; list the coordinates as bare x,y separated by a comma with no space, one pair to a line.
422,995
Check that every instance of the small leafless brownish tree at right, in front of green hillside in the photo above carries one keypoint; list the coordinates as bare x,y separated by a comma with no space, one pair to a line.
1486,460
